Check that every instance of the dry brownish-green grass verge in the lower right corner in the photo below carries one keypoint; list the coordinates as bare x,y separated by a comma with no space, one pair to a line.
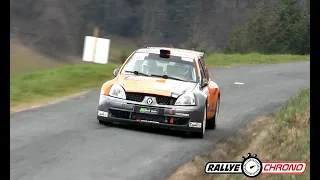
284,136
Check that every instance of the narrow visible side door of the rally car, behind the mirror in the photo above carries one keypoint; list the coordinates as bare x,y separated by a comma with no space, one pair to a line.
207,91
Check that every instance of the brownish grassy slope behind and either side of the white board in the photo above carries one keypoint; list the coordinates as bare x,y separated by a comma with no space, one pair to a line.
24,59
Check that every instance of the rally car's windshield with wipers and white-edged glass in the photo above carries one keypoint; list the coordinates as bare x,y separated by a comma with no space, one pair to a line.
174,67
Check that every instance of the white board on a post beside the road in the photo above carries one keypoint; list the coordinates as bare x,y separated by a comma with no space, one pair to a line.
96,50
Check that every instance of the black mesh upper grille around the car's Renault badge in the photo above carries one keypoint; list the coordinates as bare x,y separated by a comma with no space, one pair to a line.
162,100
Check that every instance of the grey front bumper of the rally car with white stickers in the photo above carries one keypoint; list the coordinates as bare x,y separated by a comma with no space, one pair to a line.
185,118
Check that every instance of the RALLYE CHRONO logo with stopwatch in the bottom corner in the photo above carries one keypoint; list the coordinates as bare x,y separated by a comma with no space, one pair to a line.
252,166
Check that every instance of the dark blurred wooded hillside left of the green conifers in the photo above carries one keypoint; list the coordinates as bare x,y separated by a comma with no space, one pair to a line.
57,27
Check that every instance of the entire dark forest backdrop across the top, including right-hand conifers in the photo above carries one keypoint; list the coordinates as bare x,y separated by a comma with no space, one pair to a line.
57,27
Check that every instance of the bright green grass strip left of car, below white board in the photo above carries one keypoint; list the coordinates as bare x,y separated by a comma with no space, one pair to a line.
58,82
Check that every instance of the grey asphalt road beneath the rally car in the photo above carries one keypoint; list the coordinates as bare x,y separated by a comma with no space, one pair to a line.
64,141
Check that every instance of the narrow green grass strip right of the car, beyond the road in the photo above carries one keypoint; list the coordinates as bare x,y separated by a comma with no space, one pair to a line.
252,58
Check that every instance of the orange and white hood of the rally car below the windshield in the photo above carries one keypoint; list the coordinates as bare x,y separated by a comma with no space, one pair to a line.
154,85
